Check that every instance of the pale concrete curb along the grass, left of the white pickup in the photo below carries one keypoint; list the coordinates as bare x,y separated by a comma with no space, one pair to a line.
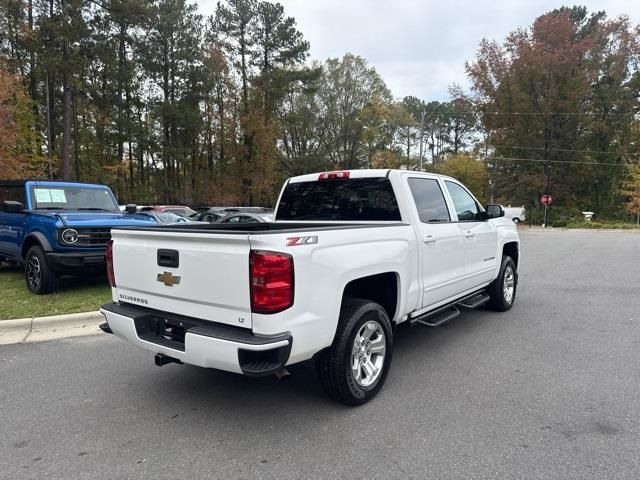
39,329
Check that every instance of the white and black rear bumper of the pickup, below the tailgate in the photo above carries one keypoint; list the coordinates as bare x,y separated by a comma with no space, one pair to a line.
199,342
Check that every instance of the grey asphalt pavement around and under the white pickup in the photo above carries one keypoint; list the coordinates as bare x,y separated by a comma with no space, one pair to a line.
547,390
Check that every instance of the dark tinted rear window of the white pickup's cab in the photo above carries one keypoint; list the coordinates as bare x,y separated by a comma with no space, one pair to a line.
356,199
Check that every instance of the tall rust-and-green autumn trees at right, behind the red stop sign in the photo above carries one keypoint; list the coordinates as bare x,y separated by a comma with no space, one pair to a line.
557,102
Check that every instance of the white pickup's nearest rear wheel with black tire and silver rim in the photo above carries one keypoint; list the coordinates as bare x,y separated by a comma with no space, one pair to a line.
353,370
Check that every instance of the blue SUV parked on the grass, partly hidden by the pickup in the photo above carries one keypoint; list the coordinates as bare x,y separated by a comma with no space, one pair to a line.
58,228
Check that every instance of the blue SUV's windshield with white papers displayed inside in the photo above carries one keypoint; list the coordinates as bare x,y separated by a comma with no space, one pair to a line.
75,197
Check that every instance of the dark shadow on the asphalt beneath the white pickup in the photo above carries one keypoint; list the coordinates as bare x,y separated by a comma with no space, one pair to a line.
210,394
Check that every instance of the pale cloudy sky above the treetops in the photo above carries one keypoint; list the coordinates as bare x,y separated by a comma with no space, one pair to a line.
419,47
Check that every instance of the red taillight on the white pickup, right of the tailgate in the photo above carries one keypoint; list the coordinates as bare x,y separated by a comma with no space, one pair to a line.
271,281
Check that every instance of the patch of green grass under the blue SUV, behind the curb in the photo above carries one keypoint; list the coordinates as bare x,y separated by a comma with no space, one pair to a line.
75,295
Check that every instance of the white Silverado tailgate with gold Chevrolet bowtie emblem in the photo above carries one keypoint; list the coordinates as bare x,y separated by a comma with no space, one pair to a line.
201,275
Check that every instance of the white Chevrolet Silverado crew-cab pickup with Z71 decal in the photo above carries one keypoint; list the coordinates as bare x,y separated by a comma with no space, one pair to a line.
350,255
